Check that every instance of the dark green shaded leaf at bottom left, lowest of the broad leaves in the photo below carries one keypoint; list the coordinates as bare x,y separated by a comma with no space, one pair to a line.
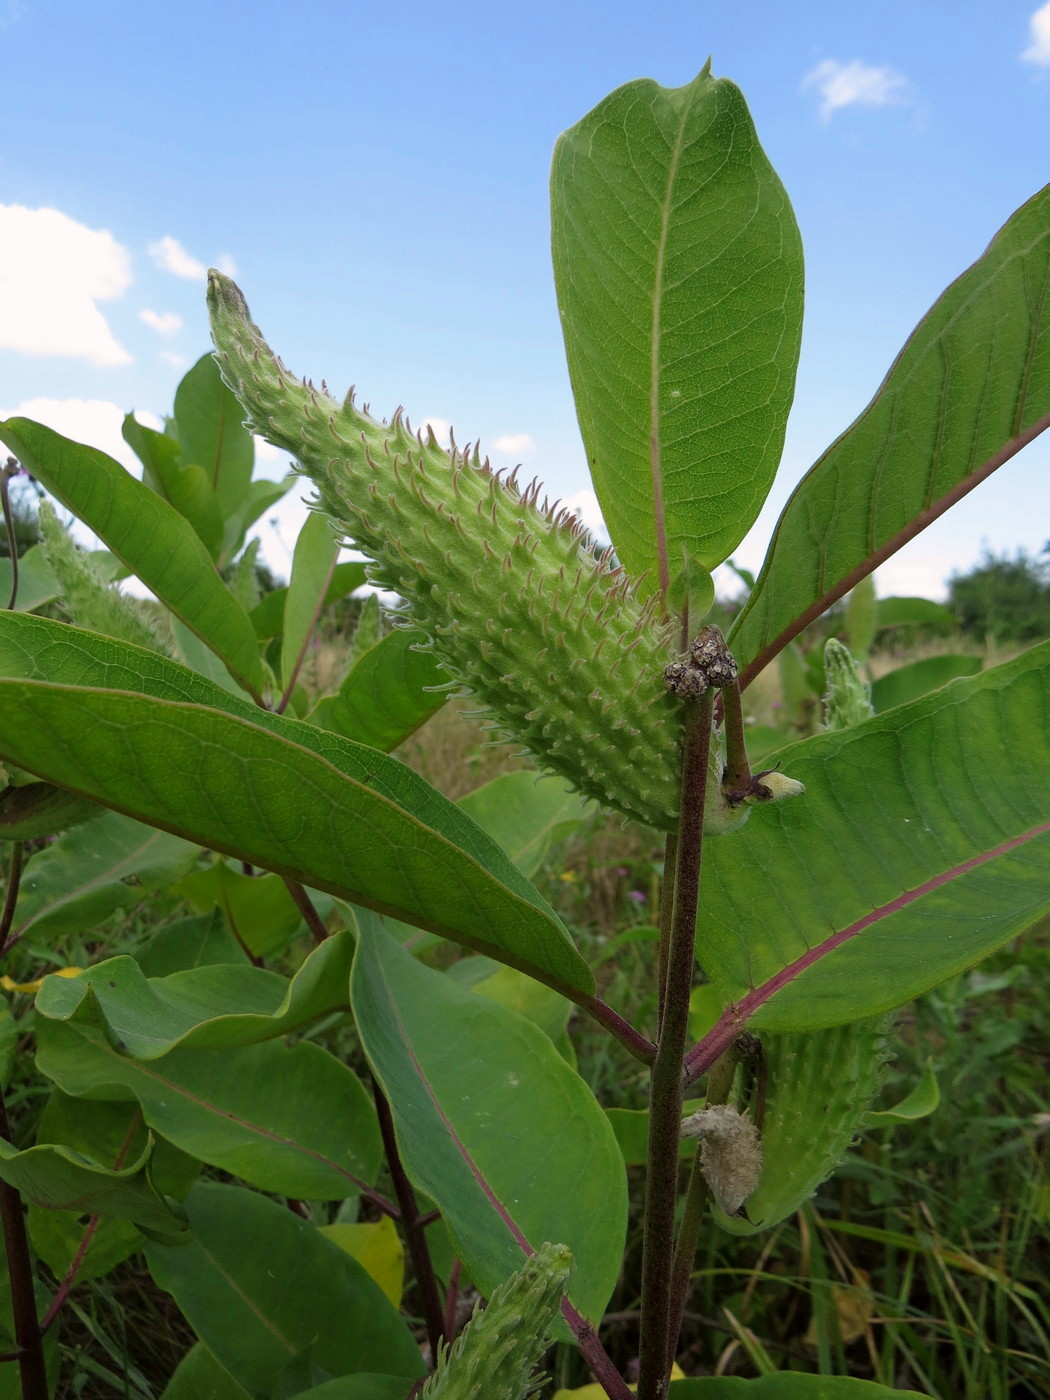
261,1287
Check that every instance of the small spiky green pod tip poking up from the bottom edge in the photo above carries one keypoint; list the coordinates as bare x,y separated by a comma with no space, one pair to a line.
498,1353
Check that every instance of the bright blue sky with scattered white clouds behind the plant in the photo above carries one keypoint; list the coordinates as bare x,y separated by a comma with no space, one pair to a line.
377,177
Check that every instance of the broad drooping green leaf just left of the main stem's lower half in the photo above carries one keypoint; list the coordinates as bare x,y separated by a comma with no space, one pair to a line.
513,1157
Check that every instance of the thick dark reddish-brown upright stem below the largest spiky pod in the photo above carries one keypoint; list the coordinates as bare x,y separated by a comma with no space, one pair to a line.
667,1084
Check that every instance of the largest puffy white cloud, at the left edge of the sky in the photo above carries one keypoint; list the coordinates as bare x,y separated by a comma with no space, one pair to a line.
52,272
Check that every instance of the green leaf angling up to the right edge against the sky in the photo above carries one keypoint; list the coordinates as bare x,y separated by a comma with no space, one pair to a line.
969,390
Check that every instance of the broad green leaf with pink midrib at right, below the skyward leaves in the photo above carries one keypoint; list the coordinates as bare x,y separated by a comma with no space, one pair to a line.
922,843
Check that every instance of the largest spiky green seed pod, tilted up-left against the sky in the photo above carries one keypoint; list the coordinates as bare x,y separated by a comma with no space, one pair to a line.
545,632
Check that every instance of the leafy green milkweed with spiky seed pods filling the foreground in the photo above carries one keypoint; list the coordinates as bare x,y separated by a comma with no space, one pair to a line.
173,747
